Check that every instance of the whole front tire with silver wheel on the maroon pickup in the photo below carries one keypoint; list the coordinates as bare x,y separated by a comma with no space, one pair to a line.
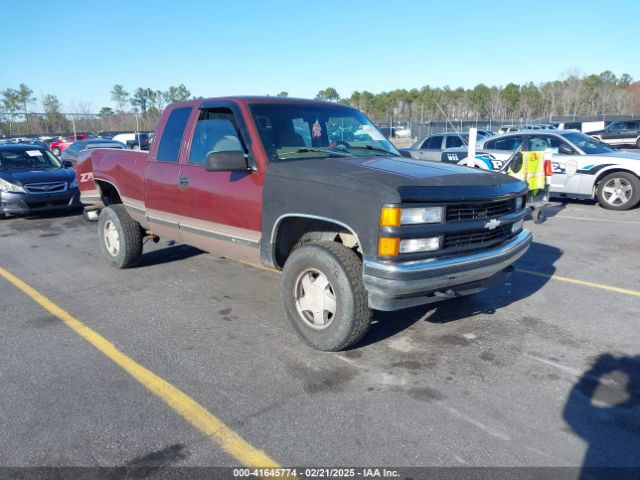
324,297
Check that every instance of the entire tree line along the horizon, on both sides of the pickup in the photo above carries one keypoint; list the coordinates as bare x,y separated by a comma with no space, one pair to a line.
574,95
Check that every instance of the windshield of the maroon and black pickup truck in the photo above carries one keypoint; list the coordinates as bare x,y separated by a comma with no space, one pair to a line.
302,131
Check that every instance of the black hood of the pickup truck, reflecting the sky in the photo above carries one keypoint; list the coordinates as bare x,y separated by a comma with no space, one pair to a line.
396,179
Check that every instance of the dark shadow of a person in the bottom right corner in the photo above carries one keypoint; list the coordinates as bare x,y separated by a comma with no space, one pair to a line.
603,409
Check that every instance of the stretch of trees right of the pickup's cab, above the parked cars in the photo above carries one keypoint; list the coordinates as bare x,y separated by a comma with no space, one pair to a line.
575,95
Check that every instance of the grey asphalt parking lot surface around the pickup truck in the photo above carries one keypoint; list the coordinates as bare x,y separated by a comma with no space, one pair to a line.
543,370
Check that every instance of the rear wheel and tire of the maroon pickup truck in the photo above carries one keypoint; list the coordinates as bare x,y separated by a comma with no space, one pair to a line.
120,237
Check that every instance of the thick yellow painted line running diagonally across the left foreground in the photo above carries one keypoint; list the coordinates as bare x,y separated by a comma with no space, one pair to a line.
180,402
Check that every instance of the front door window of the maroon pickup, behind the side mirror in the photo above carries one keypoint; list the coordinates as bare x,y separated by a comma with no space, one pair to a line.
215,132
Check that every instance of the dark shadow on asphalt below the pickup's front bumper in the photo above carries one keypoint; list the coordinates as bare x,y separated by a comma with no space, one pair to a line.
540,258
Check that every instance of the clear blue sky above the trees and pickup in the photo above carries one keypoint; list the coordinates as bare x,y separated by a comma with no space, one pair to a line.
79,50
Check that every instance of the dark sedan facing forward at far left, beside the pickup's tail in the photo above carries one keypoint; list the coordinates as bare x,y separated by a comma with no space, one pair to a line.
32,180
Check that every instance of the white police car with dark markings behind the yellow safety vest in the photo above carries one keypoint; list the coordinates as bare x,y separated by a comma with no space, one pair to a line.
582,166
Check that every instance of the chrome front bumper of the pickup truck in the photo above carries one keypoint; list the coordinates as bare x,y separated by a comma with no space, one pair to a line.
392,286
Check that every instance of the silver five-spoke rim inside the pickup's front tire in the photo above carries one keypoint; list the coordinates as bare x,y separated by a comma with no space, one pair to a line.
315,299
